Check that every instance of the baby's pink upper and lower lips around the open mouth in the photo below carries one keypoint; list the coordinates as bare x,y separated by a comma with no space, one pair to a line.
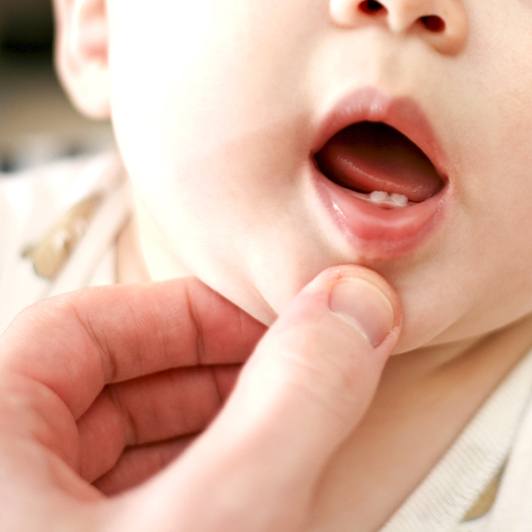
376,232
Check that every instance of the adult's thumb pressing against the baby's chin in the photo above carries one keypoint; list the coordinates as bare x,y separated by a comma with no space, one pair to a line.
314,373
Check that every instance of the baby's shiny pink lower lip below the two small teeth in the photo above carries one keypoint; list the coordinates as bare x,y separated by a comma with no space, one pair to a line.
377,232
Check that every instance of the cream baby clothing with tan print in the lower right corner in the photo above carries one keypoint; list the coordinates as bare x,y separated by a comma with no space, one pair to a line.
480,483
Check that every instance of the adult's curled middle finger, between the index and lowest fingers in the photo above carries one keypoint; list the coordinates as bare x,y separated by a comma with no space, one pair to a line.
149,409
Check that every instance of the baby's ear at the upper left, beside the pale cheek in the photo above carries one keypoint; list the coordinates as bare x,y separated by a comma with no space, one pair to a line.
81,54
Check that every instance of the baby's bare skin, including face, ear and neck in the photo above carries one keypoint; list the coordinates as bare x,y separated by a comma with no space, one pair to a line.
268,141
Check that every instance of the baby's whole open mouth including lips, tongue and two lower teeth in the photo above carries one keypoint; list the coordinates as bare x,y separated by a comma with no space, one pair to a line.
380,172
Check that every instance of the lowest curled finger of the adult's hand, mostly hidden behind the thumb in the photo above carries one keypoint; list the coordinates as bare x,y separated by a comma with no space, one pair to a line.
140,463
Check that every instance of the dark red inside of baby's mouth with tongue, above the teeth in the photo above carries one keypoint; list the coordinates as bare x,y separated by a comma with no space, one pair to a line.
373,156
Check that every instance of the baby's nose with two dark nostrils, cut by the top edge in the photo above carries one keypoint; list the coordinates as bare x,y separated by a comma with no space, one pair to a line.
441,23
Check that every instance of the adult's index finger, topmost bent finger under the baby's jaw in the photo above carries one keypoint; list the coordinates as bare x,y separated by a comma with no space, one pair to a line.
77,343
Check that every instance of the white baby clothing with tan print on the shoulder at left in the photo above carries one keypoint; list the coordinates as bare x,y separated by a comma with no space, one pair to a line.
58,232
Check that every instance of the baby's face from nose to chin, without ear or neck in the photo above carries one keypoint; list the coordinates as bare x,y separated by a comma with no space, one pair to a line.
218,106
